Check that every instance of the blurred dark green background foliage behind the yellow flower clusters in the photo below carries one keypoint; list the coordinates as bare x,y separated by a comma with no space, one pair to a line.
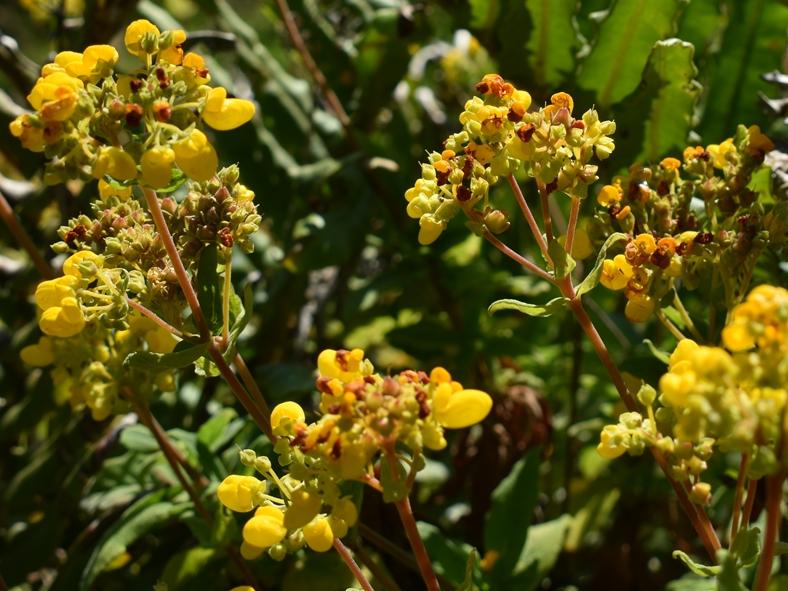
95,506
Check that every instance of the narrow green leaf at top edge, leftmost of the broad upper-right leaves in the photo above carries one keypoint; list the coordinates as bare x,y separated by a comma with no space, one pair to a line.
553,39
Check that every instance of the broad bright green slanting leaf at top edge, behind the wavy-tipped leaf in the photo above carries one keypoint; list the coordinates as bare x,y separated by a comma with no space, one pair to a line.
616,60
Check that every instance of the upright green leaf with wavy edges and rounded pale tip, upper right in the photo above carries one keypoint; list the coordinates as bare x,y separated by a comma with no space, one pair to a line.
670,74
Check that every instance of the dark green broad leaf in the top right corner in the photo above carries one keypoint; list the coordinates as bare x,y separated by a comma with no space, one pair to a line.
750,48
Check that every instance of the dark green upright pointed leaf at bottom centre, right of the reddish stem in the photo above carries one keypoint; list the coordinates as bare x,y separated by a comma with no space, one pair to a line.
510,513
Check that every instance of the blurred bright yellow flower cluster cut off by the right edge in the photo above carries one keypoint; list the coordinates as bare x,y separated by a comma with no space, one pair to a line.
713,398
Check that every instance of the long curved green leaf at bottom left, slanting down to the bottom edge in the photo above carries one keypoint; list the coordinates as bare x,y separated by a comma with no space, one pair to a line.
146,514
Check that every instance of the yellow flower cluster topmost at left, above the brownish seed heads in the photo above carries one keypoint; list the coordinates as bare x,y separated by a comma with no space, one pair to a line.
144,125
